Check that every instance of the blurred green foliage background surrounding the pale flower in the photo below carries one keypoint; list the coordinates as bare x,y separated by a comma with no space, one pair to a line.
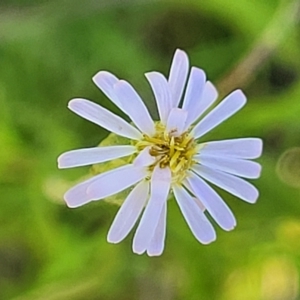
49,50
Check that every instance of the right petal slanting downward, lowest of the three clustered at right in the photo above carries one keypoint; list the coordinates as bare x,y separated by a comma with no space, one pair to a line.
232,184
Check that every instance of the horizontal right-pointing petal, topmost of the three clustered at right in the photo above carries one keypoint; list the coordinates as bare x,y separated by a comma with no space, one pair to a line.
240,148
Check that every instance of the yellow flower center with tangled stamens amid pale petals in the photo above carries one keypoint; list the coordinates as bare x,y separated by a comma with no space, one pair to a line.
175,152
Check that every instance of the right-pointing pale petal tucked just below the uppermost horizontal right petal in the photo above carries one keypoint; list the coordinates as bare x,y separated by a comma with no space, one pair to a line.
235,166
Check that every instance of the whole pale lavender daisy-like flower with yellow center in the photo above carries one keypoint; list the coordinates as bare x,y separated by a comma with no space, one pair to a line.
165,156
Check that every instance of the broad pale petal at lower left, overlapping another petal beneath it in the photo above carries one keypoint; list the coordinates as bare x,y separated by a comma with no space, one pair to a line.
115,181
